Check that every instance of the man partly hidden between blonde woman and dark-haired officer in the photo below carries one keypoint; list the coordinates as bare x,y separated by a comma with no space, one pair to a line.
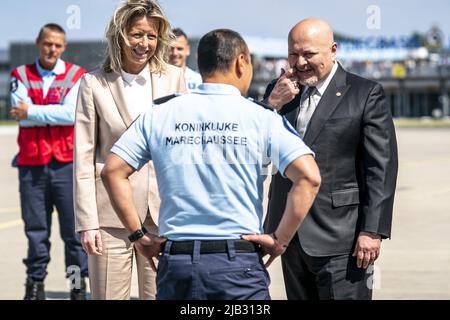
179,52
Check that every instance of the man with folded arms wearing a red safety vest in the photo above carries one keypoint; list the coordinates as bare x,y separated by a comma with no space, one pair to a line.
43,99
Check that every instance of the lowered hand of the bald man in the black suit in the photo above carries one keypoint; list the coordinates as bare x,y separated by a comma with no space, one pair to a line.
367,249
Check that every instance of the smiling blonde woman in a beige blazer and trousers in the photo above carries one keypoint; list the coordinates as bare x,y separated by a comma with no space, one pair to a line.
133,75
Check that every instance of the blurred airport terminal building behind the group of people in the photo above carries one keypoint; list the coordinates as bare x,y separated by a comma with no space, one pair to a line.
415,73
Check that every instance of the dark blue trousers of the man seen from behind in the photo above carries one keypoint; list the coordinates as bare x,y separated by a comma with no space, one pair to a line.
211,276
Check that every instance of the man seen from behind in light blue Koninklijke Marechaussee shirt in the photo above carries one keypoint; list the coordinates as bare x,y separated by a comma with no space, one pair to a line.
210,150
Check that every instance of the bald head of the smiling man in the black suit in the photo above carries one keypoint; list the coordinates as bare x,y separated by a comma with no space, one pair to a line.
312,50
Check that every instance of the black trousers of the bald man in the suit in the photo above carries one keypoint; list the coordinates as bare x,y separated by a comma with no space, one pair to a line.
324,278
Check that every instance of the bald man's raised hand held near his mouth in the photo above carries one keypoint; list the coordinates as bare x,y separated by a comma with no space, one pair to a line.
284,91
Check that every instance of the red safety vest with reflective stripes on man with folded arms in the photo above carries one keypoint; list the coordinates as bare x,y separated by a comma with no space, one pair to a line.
37,145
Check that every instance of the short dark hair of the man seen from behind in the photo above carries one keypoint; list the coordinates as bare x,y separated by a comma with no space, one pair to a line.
217,50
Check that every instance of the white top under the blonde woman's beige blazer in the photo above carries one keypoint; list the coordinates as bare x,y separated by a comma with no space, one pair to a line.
138,91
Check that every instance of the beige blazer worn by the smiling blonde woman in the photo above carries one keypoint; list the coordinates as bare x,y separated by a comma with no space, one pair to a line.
102,116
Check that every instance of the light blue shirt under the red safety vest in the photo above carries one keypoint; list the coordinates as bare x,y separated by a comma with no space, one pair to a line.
52,114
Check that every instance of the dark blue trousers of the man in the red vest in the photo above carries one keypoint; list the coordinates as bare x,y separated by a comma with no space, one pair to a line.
41,189
